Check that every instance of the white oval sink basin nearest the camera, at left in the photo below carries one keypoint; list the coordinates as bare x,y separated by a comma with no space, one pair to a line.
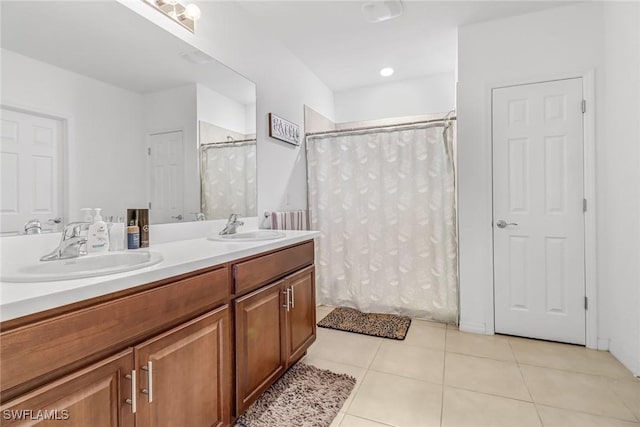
80,267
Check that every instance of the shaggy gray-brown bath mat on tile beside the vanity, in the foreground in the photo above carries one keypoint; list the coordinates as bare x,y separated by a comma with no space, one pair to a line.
305,396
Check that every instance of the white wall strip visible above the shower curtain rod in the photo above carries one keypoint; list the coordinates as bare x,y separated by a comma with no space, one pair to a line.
411,97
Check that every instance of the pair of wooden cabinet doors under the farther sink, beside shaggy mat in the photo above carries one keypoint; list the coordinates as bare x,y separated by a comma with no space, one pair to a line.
275,325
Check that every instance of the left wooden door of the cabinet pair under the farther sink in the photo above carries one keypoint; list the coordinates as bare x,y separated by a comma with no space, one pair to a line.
259,342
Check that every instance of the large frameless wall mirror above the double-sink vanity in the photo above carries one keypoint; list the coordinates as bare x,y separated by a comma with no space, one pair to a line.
102,108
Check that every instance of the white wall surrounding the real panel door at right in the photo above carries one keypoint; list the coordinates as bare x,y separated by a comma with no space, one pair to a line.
559,42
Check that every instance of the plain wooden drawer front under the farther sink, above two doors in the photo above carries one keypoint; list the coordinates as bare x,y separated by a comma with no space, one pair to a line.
252,274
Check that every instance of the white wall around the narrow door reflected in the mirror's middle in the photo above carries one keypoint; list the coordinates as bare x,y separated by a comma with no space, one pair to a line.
172,110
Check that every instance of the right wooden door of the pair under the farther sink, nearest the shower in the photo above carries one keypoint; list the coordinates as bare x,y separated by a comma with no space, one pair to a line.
301,316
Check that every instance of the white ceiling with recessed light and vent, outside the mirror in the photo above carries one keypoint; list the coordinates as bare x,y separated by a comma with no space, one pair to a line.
333,39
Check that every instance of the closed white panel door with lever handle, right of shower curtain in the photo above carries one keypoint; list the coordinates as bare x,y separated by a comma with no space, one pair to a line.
538,218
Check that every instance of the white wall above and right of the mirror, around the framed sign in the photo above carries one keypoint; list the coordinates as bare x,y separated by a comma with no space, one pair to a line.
284,84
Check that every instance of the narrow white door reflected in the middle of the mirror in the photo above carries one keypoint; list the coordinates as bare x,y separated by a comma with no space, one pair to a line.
167,177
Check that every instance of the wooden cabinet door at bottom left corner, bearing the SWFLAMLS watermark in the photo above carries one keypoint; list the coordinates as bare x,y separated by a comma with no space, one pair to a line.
95,396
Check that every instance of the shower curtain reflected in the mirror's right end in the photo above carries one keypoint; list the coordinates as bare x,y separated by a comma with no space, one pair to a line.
228,175
